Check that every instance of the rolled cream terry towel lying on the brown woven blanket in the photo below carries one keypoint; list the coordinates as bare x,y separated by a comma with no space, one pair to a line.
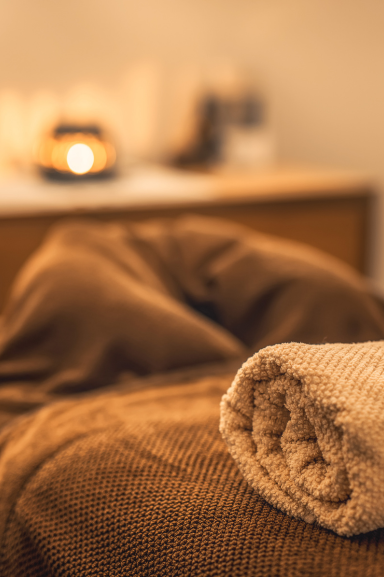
305,425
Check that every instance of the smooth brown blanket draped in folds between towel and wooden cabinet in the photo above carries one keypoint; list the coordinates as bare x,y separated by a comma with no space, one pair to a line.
99,300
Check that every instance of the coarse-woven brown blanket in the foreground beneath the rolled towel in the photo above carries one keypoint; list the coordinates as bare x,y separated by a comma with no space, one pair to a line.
134,484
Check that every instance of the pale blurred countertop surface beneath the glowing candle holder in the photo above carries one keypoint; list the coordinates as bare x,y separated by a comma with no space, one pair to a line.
150,186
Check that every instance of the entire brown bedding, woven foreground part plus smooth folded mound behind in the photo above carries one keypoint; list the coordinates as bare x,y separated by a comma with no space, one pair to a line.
134,479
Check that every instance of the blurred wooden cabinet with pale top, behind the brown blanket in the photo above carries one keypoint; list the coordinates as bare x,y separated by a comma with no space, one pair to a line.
327,209
